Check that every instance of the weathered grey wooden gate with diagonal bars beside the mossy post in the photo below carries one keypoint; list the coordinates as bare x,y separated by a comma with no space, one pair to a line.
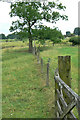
63,109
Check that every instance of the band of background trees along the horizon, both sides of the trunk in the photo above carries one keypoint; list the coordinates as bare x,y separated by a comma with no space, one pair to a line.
42,33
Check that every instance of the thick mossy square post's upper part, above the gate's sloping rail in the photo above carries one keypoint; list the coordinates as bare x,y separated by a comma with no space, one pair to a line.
64,68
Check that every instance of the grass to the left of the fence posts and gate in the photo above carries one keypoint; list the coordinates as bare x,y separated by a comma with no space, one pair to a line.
24,93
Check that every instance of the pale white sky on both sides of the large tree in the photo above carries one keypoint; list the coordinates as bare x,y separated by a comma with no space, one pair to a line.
71,11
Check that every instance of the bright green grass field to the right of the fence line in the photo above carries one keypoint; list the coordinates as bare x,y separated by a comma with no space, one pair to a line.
60,50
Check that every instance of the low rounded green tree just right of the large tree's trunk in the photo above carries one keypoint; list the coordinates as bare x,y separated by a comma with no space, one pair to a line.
46,33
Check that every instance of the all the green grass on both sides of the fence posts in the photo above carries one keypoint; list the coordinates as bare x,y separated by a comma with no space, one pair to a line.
25,94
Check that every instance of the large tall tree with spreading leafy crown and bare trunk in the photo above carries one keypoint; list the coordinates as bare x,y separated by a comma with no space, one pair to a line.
32,13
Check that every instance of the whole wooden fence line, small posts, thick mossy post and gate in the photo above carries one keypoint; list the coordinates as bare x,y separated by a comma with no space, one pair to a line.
65,98
